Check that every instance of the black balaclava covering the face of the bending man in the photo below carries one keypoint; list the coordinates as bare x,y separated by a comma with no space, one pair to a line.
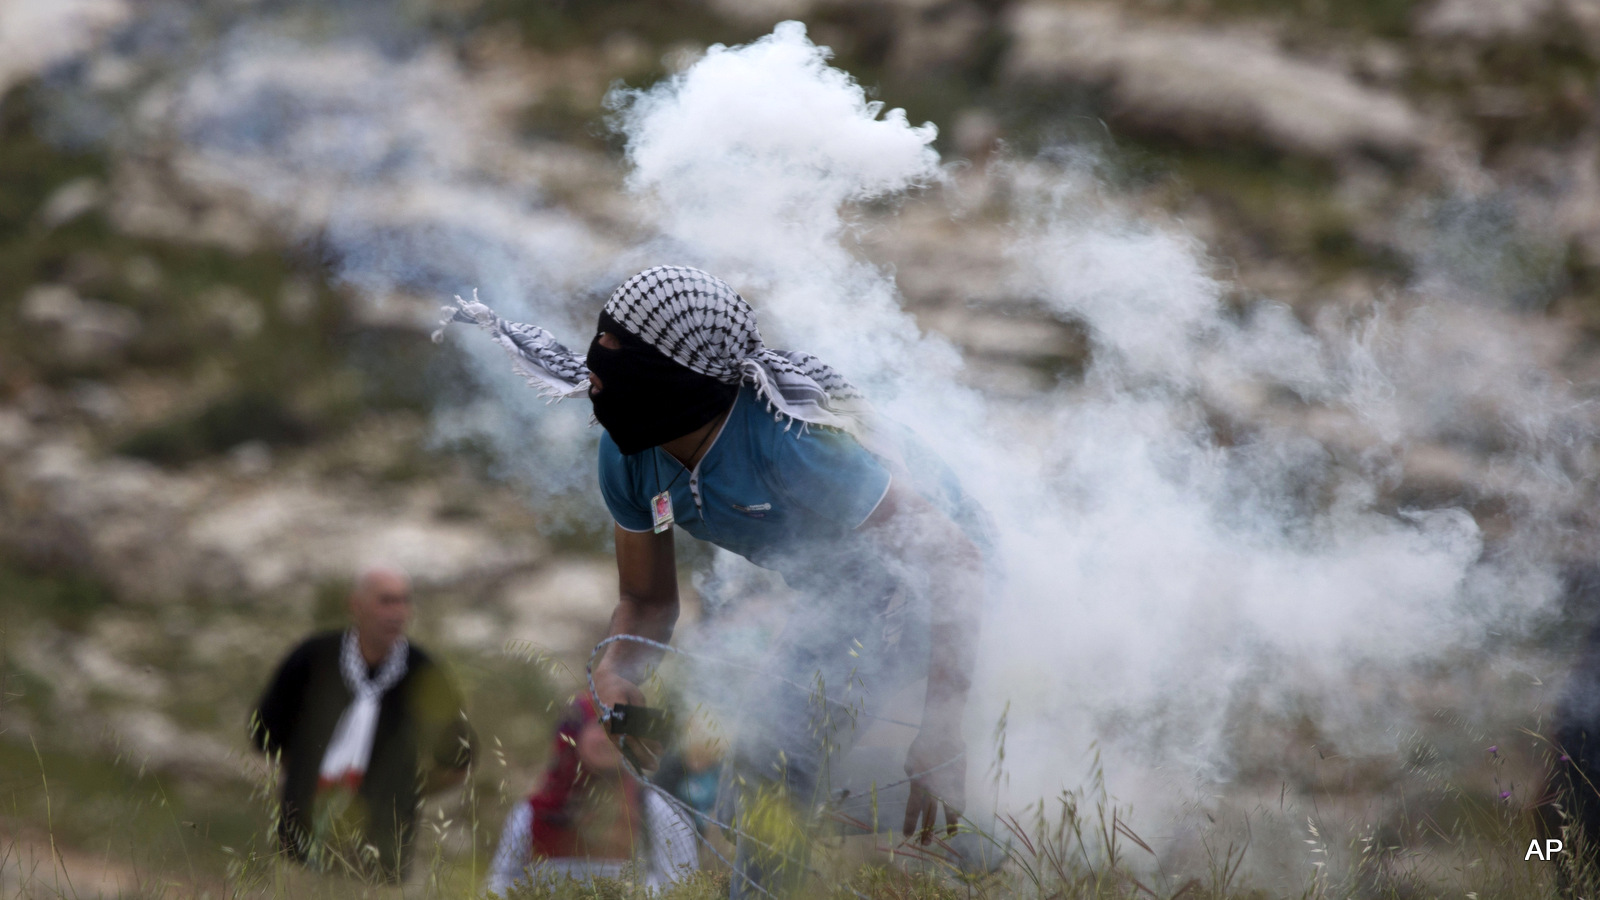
646,398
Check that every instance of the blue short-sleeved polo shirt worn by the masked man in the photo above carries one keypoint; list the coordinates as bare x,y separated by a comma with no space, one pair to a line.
785,500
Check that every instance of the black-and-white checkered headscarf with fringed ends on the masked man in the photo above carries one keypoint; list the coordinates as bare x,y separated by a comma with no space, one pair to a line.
700,323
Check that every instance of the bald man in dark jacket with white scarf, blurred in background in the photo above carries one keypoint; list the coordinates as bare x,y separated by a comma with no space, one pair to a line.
364,725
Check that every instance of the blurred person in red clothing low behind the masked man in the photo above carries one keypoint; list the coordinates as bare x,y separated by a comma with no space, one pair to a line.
590,819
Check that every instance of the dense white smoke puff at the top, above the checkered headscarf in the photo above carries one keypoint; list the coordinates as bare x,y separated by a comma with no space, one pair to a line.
766,113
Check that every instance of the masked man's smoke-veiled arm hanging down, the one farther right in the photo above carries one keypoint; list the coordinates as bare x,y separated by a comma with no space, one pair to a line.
940,558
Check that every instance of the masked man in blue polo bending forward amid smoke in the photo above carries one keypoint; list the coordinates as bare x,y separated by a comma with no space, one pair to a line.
775,457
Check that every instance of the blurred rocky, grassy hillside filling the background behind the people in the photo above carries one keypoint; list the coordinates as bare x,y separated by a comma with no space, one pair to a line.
204,433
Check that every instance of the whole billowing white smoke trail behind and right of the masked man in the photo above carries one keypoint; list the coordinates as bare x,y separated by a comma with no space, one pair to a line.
1159,579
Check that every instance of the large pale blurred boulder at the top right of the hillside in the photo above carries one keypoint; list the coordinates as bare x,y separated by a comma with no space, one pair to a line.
1207,86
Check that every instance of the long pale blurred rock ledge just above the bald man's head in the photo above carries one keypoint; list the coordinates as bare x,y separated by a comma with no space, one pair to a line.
158,536
